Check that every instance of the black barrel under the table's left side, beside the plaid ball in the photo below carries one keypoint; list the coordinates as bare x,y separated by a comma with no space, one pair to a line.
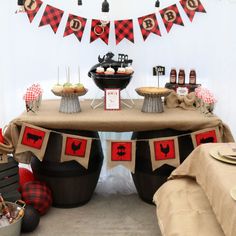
71,184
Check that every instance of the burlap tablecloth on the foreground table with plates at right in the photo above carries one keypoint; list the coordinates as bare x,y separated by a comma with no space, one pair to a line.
216,179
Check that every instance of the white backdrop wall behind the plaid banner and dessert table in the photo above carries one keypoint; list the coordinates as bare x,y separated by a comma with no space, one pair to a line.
32,54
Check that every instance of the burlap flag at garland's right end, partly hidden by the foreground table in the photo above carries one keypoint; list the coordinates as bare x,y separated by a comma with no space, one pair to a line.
210,135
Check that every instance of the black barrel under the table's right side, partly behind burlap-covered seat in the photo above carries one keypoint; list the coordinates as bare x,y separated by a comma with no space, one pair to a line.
147,181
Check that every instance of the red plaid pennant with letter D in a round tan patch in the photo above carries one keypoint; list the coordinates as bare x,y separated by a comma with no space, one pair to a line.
75,25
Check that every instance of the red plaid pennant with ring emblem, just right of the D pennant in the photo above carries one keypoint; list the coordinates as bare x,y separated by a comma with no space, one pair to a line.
99,30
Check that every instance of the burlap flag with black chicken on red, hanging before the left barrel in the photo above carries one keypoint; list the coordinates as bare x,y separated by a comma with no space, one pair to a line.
76,148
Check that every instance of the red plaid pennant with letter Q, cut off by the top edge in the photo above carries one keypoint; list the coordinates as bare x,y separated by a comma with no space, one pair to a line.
192,6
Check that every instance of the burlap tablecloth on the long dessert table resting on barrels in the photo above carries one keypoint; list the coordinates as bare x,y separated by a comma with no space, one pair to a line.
124,120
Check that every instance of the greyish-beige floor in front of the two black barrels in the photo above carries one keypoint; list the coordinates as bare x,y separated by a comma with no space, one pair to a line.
112,215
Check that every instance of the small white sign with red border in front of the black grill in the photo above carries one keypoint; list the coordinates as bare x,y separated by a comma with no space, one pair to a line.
112,99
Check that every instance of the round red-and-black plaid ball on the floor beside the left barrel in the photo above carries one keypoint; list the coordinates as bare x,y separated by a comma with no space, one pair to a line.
38,195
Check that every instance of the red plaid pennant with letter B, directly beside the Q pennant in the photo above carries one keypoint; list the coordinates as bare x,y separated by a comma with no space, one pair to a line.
170,16
